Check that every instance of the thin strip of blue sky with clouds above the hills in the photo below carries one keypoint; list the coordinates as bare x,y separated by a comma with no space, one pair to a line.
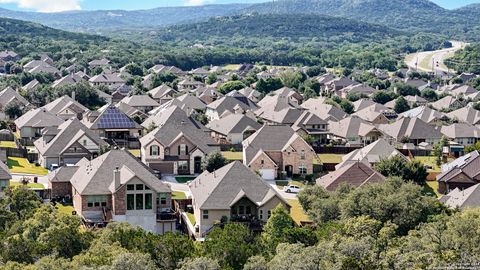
63,5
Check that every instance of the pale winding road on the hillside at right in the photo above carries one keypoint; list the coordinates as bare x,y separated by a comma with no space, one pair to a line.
424,61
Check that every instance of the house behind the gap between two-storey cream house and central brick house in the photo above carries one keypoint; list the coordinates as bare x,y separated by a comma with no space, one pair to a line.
233,128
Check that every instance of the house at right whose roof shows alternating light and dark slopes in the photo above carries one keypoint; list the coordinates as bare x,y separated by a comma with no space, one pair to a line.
411,130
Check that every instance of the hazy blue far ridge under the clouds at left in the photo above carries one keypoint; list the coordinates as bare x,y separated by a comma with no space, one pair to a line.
108,20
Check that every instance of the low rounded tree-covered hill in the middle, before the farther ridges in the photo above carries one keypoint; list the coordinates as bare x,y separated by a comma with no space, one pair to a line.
288,26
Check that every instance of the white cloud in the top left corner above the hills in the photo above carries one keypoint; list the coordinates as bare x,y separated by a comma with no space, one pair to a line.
45,5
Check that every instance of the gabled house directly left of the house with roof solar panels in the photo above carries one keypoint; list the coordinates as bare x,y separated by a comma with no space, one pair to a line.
67,144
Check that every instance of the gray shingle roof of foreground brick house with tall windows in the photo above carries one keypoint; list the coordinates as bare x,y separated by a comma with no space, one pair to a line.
97,177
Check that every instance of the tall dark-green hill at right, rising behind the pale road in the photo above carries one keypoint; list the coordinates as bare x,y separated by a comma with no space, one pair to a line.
418,15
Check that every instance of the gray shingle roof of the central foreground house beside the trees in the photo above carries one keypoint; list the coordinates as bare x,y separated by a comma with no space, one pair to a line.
222,188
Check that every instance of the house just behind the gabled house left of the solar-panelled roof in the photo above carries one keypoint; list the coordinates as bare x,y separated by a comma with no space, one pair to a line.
30,124
